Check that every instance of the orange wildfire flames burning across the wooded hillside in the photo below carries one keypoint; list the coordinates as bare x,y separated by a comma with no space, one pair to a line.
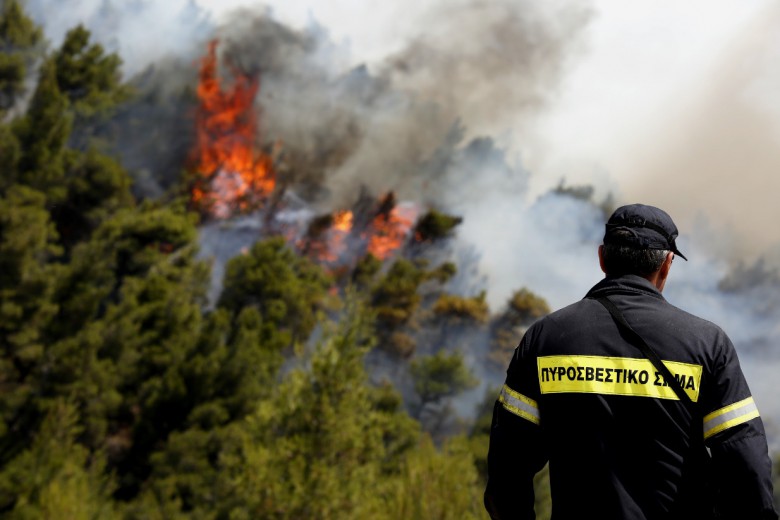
234,176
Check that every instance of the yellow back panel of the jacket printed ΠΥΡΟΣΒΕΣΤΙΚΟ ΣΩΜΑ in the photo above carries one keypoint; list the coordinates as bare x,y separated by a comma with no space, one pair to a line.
615,376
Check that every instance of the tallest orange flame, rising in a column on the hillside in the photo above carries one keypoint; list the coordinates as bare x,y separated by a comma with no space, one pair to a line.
234,175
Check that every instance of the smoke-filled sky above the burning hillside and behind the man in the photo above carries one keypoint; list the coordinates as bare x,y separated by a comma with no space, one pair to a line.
661,102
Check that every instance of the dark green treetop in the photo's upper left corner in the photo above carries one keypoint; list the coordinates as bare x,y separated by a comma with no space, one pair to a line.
20,41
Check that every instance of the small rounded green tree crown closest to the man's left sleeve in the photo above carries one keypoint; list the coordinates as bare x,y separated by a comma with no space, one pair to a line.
440,375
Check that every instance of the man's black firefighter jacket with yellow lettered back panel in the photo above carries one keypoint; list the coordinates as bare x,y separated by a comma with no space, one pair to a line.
620,443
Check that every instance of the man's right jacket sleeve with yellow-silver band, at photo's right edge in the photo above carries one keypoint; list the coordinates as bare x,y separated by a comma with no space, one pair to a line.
734,432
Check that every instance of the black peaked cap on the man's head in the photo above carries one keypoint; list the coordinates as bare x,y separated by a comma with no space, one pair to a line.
647,227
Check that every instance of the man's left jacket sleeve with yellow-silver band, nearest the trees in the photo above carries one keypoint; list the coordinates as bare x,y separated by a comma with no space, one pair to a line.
516,451
